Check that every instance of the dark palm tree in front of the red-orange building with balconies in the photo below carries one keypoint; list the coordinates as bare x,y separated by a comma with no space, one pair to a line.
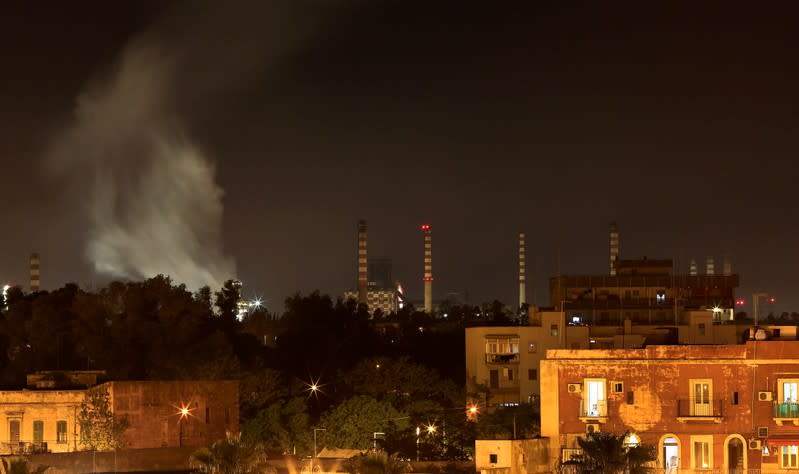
606,453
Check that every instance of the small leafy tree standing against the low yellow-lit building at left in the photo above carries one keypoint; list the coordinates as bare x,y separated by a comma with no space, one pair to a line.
100,429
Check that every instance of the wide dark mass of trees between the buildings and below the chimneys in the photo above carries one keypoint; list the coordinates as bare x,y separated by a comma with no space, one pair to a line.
376,373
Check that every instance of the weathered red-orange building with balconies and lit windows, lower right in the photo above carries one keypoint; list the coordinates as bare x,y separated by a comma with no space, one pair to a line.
706,408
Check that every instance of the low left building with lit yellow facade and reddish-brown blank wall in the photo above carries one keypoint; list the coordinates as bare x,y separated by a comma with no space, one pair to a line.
161,414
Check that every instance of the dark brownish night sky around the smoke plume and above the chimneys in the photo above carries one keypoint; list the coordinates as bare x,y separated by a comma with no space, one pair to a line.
483,119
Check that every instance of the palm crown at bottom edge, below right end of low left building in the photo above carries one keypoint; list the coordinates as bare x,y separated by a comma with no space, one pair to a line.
231,456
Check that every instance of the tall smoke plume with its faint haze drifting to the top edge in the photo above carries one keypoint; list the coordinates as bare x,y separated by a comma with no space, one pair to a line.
150,193
